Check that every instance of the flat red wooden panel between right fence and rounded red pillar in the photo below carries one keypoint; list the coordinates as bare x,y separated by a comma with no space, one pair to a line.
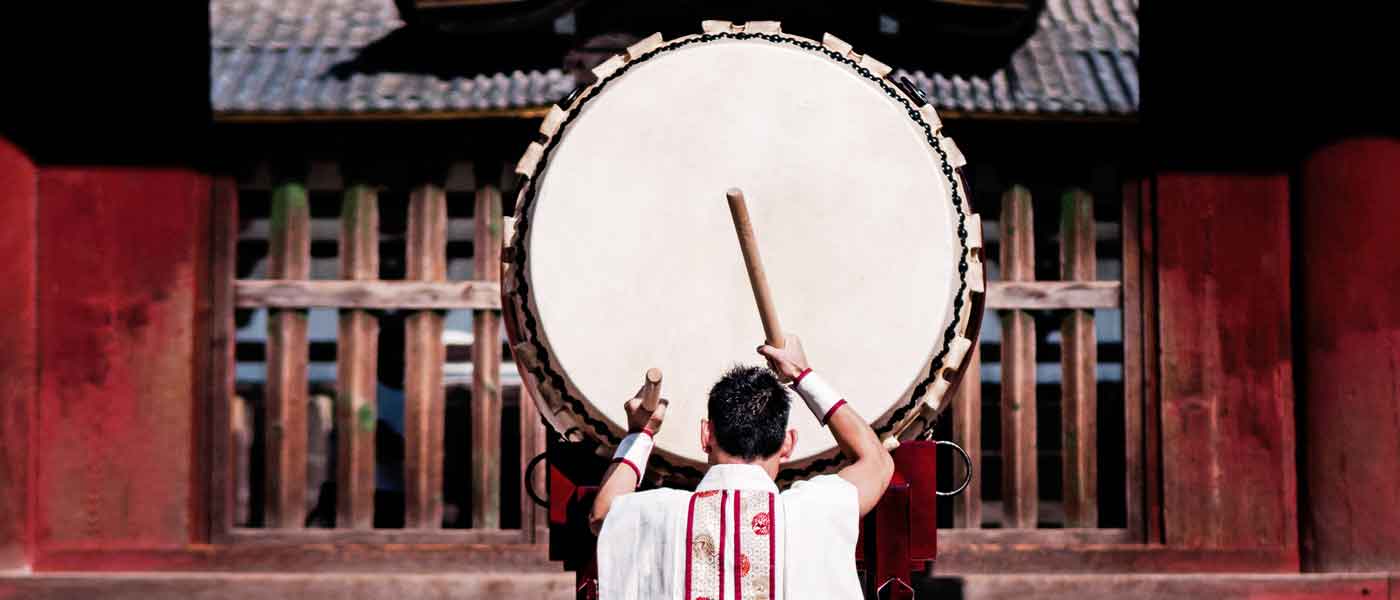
1228,462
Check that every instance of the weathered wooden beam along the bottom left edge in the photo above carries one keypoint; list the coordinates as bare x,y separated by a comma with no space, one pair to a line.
302,587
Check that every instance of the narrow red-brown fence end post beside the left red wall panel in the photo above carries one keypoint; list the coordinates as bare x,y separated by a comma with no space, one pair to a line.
229,438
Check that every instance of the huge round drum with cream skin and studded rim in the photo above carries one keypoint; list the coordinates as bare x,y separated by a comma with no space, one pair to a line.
624,257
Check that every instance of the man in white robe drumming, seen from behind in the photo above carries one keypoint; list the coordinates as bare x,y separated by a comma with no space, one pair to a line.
737,536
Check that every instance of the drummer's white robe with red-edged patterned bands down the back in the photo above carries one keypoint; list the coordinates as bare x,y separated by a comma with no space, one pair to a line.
747,541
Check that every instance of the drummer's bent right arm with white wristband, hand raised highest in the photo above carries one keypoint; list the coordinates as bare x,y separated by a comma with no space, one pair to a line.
873,468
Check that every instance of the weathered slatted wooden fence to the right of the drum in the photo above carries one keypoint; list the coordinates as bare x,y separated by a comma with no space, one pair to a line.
1016,299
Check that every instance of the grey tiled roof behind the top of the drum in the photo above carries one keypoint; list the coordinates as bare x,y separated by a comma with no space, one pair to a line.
278,57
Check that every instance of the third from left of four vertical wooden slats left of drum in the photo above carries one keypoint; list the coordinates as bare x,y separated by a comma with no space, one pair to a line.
423,410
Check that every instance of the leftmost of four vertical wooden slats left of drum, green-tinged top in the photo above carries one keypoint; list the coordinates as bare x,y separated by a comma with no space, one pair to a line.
286,440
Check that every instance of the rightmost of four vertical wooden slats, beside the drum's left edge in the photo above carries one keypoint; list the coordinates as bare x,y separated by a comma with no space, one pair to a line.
486,349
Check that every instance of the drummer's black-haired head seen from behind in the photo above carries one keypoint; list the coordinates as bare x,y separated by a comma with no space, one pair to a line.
748,420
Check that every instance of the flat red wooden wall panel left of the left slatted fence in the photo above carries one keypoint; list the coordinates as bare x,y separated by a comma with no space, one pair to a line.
122,264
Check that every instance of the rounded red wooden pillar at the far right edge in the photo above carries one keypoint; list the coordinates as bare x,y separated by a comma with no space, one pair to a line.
1350,272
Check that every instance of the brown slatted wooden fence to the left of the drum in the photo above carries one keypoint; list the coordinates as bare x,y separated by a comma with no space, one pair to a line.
358,296
